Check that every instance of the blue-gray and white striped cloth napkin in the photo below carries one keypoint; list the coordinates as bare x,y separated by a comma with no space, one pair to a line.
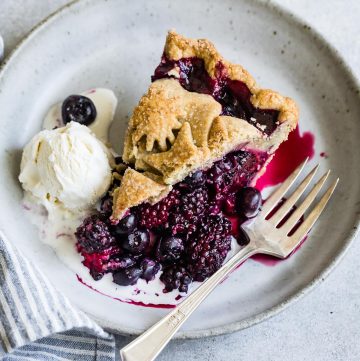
39,323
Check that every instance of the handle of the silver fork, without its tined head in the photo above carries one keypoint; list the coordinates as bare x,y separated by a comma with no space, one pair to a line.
148,345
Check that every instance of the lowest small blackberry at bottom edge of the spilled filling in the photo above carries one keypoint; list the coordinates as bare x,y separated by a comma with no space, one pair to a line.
175,277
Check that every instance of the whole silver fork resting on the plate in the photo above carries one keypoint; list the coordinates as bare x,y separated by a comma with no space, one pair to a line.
267,235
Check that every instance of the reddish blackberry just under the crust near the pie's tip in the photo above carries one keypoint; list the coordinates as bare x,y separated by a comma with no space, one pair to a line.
151,216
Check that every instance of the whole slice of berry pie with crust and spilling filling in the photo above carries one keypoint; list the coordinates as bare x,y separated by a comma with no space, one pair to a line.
195,145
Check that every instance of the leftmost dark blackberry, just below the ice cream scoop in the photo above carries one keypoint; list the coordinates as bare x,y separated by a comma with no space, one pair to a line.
93,235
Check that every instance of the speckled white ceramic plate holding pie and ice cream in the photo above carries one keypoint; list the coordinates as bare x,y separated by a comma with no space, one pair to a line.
117,44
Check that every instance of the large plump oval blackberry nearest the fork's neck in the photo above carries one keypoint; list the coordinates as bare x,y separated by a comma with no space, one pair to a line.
209,247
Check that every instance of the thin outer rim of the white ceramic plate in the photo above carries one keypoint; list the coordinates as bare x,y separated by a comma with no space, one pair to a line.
355,230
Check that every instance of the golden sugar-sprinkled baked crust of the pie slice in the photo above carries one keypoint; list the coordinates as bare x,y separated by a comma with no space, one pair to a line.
173,132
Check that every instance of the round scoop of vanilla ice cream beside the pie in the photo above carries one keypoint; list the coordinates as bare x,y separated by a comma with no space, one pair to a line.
66,167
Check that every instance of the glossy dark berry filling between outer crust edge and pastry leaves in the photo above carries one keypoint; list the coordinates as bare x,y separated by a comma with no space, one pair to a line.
233,95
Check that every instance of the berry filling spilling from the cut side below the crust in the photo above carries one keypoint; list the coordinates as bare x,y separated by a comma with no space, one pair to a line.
186,236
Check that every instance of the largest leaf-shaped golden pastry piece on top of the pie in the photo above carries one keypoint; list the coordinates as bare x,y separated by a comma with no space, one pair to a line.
163,110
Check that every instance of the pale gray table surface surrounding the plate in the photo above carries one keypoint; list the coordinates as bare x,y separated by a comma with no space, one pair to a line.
323,326
